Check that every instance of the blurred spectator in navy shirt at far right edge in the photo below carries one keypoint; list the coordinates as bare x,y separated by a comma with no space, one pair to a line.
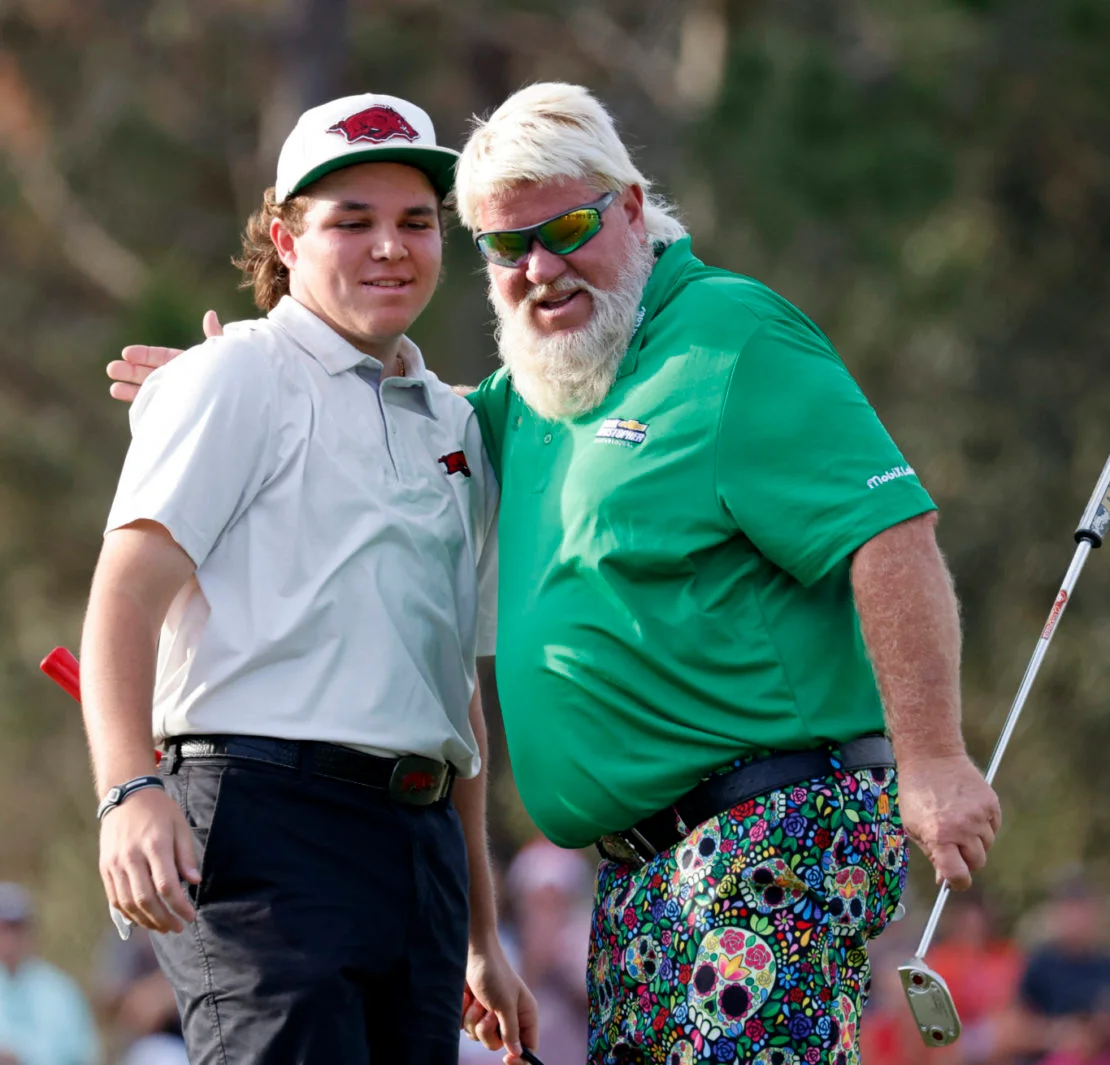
1066,984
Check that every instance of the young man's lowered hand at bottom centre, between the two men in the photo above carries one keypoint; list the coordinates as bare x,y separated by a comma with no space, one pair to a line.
499,1011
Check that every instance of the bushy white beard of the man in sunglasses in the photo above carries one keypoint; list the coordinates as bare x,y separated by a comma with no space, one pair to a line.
571,374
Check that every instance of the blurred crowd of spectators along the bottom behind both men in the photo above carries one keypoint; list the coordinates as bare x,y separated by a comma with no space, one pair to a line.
1041,997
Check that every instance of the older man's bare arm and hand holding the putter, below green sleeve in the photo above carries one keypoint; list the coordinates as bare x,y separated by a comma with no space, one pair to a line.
911,624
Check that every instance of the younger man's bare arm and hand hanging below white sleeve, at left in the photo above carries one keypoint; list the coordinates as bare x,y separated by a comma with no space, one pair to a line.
146,846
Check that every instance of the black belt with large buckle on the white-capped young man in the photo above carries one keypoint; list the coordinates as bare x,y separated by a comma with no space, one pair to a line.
410,779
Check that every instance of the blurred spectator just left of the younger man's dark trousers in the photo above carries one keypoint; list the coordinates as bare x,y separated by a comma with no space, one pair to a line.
136,1002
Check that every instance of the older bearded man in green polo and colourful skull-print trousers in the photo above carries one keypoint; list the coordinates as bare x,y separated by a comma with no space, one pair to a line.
723,587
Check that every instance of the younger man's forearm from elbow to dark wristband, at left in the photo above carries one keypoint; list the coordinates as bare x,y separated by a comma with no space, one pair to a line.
118,660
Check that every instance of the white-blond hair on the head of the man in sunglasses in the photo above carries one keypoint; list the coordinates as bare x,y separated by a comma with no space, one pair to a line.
546,133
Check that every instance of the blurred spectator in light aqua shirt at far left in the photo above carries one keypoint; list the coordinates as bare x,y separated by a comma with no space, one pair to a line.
44,1017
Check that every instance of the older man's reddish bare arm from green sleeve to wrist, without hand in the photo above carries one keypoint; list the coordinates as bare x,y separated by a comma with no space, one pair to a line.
910,620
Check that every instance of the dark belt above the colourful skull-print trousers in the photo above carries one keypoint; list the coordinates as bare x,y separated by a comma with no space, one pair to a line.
664,829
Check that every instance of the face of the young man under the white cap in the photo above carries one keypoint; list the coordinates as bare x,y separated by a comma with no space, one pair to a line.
369,257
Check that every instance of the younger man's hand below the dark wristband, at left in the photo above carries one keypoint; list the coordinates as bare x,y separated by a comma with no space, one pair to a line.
146,851
